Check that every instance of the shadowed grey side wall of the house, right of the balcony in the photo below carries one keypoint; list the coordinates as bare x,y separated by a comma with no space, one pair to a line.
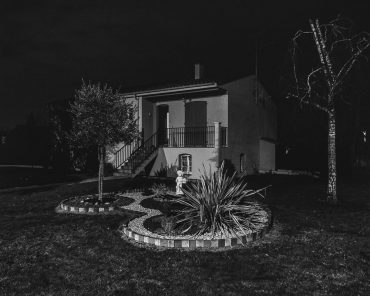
248,123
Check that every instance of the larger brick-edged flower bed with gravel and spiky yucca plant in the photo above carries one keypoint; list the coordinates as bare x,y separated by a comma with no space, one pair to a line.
218,211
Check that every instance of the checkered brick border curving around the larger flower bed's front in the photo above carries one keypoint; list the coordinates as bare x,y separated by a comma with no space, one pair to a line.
197,243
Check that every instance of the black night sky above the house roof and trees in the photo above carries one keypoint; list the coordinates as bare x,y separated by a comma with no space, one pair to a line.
47,47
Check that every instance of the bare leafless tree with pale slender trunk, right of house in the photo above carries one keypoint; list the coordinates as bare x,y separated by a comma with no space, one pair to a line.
319,84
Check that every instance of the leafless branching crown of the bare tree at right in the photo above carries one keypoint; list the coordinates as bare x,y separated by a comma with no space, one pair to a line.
321,86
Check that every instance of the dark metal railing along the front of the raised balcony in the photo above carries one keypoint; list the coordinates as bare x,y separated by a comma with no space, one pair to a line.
193,137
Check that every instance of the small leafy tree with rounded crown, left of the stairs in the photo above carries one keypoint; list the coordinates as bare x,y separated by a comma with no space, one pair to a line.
101,117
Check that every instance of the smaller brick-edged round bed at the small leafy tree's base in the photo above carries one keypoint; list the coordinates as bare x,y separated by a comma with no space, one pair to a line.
91,203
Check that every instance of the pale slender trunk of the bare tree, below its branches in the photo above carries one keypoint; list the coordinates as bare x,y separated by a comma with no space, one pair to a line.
332,170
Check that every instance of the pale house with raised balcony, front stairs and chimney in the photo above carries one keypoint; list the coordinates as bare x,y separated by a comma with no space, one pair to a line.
198,124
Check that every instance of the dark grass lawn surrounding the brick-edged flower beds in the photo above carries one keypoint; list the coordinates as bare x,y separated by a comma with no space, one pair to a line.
314,249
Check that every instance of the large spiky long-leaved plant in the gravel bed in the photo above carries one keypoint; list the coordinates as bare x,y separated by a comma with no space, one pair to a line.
220,204
